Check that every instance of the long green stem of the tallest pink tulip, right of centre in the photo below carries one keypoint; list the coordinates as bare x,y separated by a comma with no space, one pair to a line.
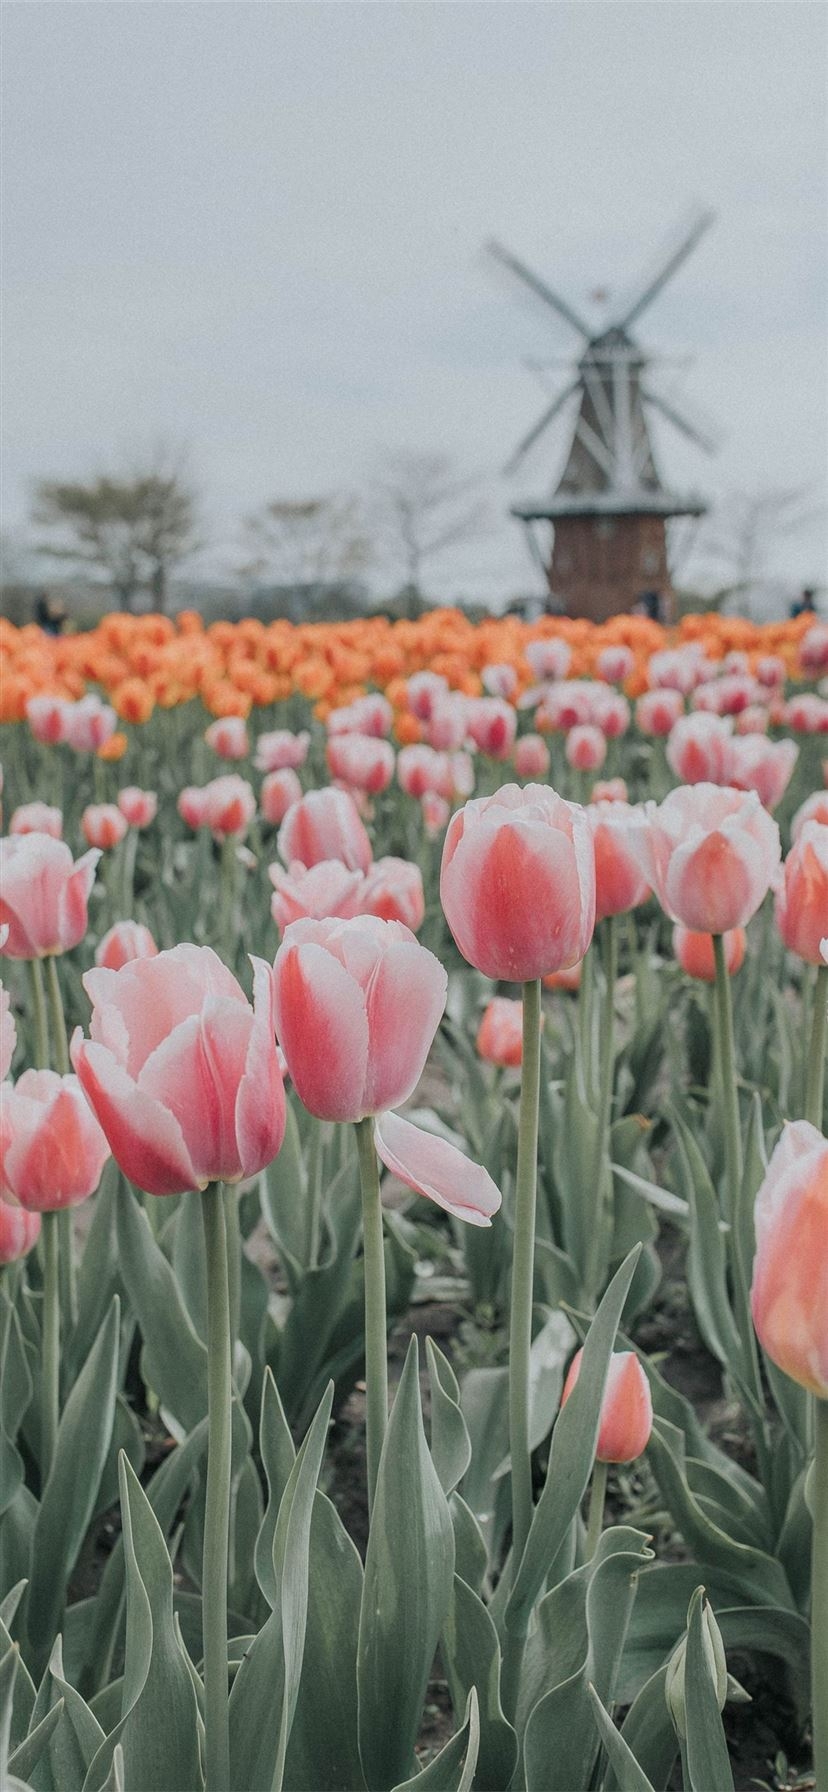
521,1318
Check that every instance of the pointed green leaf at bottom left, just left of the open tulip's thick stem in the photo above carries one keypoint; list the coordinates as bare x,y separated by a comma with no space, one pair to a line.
159,1728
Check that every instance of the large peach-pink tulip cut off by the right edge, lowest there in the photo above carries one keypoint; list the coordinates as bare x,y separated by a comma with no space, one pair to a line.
789,1297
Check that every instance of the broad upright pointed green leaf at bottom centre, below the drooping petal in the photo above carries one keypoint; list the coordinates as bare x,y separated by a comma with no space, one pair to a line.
408,1587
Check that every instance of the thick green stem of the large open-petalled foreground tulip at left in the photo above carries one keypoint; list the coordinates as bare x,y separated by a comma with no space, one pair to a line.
214,1583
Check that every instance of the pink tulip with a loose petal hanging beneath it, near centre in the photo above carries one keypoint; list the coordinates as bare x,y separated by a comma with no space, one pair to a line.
358,1008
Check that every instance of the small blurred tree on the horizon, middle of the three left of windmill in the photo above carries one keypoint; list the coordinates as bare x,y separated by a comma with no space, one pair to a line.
307,546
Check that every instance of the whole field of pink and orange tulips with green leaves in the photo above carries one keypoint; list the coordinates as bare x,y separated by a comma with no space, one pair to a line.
415,1207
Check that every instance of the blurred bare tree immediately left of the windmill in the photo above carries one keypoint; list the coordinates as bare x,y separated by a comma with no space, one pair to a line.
426,510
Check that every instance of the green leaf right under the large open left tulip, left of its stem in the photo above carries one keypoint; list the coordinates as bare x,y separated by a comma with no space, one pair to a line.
175,1359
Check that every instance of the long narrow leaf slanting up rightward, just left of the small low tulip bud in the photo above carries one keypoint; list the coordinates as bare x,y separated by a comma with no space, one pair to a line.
573,1452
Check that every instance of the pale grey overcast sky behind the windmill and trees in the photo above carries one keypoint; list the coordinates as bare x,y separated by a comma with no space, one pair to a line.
257,230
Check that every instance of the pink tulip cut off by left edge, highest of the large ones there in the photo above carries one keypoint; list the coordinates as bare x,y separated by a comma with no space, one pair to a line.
44,895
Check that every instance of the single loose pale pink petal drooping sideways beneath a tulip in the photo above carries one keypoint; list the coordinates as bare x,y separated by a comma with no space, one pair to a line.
436,1169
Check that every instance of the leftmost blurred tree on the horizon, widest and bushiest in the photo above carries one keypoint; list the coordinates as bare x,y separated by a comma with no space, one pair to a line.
134,528
